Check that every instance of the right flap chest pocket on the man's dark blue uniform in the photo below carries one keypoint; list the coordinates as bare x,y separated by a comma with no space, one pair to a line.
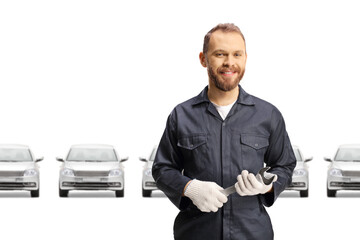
253,149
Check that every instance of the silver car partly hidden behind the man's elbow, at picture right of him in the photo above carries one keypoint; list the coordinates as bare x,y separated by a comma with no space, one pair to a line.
300,178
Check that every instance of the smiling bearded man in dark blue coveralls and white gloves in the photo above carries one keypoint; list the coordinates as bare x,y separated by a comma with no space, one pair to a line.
221,137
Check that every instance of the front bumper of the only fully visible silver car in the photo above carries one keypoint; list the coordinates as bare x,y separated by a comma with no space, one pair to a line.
91,183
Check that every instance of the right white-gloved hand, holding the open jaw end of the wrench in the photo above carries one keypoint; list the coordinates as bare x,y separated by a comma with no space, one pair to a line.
249,185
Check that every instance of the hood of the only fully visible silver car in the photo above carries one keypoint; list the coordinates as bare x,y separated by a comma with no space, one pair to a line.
92,166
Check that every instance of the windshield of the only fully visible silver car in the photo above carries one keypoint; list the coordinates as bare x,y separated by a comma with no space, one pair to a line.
91,155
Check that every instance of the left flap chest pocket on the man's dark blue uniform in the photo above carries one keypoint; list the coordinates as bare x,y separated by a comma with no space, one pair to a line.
195,154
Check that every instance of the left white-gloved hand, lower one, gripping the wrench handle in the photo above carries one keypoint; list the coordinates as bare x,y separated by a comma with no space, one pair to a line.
206,196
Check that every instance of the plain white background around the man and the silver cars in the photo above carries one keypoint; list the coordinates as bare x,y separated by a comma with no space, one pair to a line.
111,71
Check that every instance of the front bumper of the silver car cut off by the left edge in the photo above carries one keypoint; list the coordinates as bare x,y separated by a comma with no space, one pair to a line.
19,183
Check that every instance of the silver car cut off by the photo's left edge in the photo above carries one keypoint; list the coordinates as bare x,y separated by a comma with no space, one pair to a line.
19,169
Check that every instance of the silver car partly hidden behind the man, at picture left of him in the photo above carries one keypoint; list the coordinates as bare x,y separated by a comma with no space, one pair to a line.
148,182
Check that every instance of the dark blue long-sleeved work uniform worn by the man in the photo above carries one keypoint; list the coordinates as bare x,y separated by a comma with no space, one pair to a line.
198,143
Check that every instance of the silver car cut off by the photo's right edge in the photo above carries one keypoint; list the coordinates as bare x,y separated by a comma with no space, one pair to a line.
344,171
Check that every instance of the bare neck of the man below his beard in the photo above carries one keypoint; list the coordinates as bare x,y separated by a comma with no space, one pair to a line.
220,97
